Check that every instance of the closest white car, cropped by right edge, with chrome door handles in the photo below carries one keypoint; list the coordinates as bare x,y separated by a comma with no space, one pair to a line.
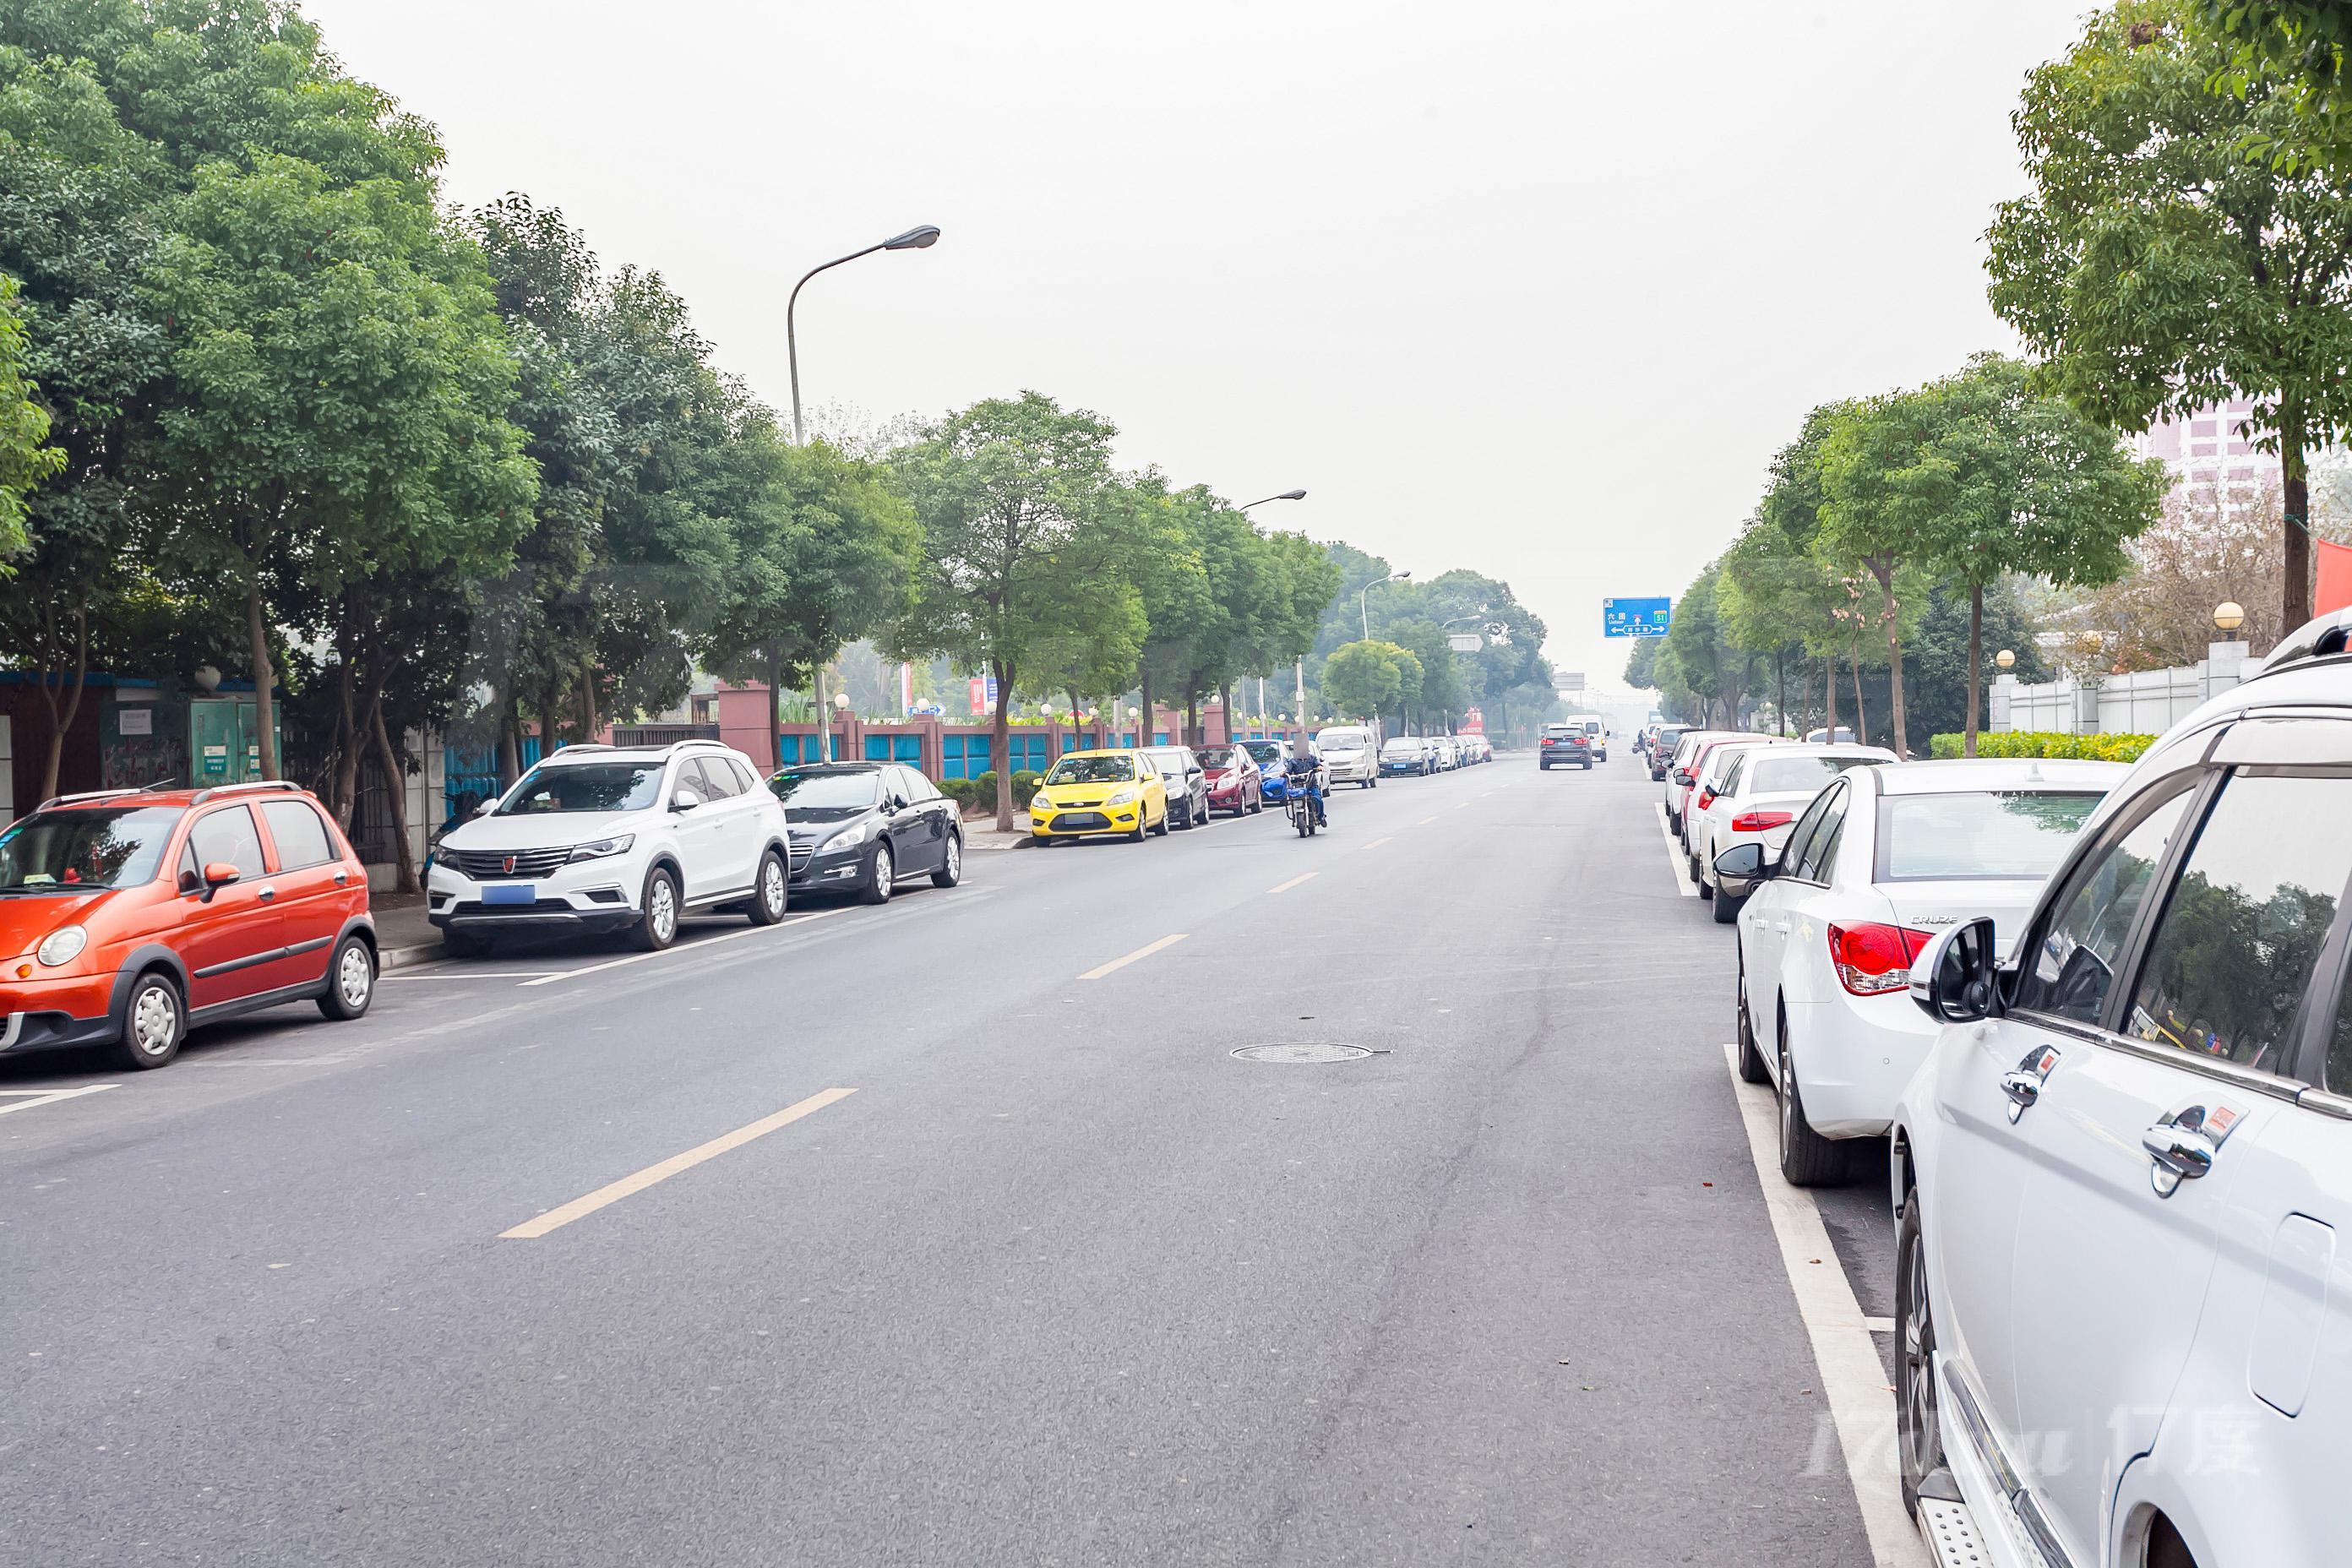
2123,1179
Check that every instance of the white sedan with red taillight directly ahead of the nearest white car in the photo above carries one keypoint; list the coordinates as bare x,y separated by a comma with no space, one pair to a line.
1883,859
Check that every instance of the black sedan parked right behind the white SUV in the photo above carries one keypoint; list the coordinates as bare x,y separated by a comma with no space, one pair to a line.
869,826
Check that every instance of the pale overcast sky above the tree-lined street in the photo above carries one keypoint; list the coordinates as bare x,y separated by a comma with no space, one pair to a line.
1521,288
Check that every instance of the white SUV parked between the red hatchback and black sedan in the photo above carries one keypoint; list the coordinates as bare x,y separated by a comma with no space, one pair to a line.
615,838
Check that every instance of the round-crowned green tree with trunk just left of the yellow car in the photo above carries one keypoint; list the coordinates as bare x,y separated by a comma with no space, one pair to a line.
1020,509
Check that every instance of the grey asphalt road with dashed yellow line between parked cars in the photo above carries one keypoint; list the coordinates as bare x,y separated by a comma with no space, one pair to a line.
1060,1282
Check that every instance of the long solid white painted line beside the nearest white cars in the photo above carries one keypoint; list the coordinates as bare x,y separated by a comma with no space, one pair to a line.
1850,1365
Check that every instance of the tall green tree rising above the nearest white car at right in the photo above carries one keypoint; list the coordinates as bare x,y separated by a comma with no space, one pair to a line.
2160,269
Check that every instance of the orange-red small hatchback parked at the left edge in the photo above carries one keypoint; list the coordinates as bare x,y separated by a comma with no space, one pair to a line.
133,916
